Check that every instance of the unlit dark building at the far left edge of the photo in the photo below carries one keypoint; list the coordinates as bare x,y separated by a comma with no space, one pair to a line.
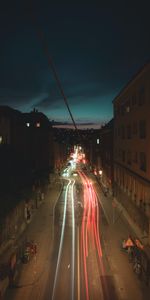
14,173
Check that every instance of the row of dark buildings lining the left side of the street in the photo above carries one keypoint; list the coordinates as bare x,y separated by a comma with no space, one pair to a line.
29,152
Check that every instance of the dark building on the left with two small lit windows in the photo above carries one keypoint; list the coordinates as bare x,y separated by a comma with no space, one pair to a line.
37,143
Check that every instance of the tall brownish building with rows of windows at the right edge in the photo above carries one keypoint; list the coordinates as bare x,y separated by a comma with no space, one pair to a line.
132,148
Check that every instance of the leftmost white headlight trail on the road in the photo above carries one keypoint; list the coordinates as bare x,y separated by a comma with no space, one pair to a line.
61,241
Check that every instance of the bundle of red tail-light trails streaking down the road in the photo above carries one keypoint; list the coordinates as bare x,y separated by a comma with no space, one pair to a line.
90,226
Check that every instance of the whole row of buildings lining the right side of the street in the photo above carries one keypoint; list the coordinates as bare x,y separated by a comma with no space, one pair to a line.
120,150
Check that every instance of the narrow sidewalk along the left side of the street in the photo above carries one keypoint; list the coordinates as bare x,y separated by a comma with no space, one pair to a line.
31,230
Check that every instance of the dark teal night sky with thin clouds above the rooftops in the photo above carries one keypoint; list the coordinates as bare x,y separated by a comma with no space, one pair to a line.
96,49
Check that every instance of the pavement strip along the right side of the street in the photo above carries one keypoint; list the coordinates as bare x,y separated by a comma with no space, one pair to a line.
120,226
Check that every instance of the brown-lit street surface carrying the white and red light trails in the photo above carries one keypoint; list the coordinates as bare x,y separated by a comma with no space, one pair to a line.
75,246
